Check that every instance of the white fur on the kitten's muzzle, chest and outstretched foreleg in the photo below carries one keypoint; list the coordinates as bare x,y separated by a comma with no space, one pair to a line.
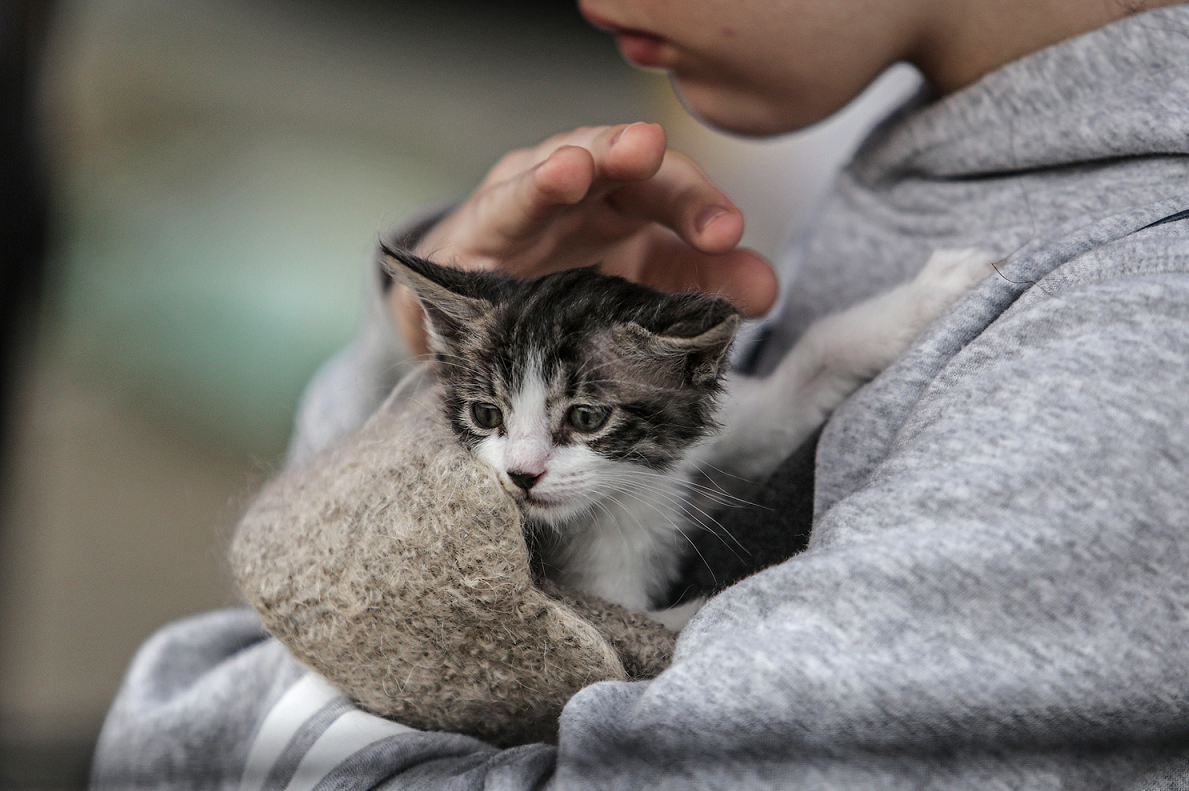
620,528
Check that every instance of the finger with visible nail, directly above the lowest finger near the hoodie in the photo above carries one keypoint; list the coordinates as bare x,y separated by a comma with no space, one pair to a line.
682,198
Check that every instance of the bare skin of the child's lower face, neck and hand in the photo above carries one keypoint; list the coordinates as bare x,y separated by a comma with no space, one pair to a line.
618,197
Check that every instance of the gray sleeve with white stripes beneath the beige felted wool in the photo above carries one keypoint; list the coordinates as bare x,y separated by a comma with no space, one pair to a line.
213,702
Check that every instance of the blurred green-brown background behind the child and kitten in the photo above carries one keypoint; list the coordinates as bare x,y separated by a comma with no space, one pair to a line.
192,192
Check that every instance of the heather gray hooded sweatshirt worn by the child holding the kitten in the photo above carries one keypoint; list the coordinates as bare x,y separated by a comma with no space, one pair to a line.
996,592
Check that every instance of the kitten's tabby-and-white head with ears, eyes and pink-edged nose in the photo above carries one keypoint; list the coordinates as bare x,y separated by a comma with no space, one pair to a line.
574,386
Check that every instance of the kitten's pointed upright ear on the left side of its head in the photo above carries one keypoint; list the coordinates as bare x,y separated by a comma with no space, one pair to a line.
443,292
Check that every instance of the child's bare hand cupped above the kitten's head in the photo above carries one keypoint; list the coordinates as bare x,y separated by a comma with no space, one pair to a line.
609,196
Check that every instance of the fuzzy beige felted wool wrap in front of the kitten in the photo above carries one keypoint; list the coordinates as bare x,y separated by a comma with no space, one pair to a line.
397,567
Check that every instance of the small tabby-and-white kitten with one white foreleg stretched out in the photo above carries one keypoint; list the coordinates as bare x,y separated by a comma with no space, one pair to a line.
593,400
